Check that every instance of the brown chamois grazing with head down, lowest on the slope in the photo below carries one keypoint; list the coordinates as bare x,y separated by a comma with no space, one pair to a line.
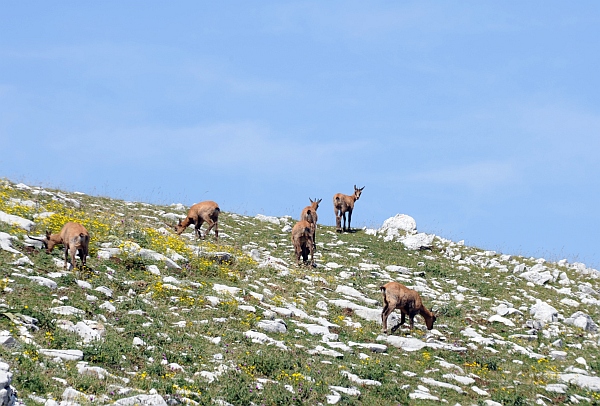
408,301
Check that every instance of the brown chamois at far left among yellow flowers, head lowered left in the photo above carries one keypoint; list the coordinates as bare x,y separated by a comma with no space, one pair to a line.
74,237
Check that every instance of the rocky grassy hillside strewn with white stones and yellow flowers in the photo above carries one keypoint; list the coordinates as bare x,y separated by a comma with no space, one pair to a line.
157,318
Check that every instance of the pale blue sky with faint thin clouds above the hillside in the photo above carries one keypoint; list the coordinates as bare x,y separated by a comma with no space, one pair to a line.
479,119
